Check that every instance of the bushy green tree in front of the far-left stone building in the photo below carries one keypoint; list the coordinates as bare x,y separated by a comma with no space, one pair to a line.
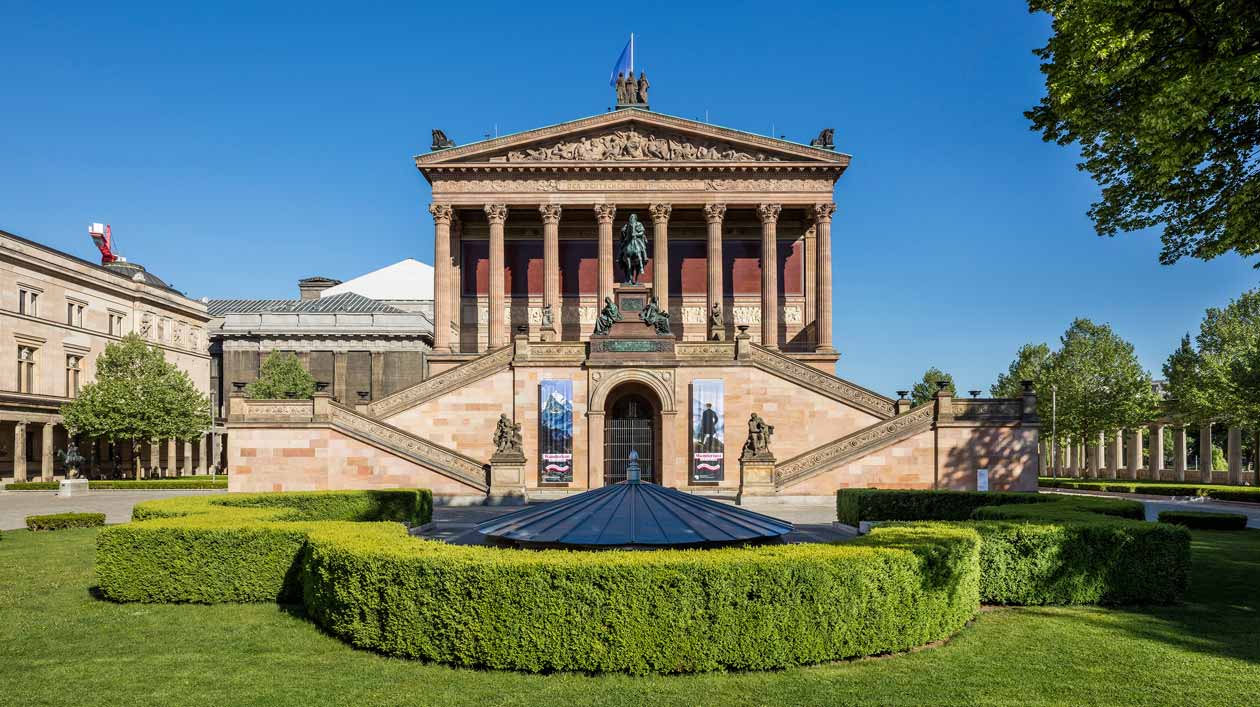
139,398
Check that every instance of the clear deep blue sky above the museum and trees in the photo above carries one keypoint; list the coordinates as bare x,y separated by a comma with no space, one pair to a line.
236,149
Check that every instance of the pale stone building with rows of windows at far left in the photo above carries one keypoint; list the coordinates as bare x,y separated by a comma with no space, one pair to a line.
57,314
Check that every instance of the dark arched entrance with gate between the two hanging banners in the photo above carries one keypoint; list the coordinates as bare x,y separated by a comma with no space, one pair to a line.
632,425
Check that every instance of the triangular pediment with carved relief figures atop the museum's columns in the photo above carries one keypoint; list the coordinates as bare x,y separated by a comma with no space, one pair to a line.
632,137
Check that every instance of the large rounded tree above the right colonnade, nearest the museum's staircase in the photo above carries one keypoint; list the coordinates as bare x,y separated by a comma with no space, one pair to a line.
1101,385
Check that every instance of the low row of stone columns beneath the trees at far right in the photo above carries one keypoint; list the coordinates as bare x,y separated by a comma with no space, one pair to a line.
1120,456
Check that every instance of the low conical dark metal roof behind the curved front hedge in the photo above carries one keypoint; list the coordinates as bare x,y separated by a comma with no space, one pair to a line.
634,514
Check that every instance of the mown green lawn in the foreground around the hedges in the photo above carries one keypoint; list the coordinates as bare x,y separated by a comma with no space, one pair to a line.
61,646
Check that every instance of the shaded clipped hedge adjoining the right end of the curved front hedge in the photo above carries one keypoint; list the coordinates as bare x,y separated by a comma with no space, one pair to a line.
1049,550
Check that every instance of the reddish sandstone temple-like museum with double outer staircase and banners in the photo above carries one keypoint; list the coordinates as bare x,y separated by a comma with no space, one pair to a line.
633,293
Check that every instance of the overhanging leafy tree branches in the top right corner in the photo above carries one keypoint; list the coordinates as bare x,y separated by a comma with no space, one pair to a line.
1162,96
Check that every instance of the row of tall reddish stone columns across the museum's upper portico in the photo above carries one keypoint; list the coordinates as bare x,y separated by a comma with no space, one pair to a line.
605,214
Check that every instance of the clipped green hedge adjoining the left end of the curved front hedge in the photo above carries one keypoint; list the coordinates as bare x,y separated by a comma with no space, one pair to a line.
240,548
